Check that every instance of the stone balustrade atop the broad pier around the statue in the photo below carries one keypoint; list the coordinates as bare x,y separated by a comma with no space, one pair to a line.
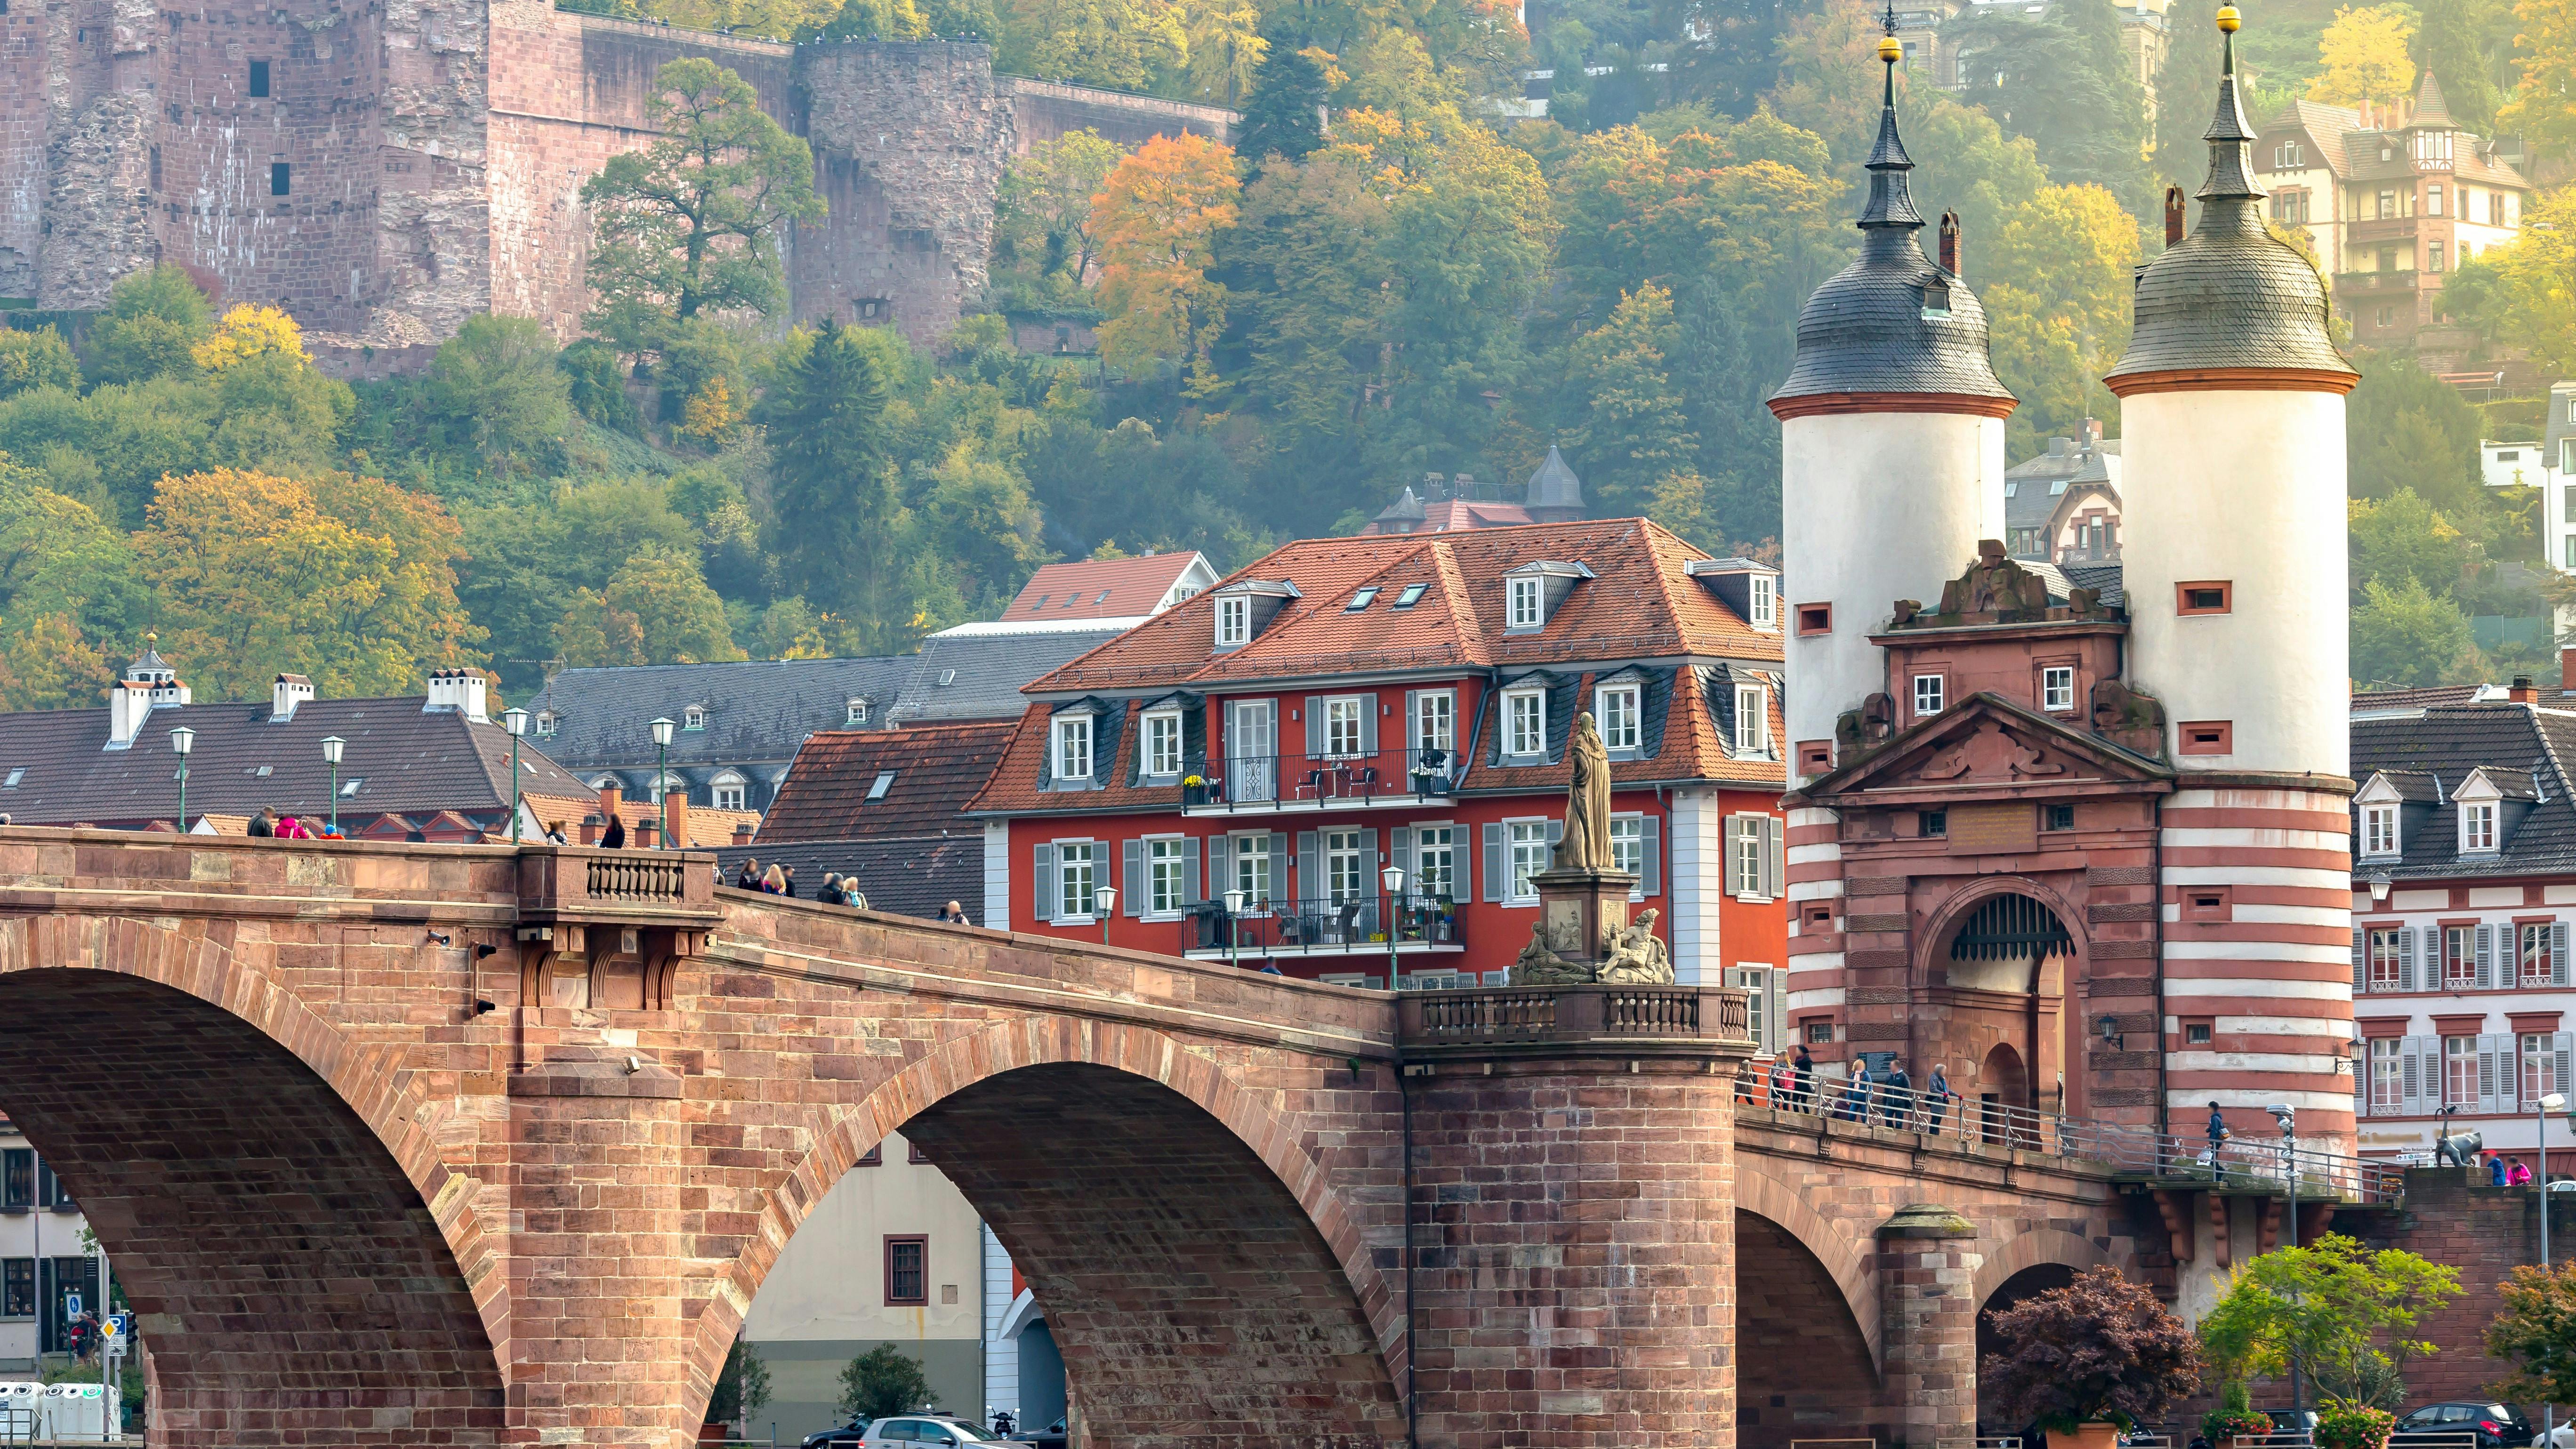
1596,1017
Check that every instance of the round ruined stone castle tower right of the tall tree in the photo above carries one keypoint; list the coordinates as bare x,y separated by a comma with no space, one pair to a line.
911,141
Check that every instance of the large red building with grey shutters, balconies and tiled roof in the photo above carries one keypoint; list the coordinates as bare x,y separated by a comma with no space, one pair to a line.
1403,703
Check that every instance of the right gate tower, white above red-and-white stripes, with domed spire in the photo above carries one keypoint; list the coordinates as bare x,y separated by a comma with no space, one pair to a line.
2235,576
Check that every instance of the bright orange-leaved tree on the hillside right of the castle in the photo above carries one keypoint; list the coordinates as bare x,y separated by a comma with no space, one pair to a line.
1158,220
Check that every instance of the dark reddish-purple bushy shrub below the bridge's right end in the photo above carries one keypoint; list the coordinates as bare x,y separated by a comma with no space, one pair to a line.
2090,1360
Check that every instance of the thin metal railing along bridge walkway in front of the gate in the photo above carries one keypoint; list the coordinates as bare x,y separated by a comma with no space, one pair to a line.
2237,1164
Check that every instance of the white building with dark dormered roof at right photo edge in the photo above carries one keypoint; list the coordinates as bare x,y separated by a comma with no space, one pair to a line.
2464,886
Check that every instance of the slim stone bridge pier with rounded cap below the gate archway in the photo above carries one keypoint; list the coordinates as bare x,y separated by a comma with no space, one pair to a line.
1928,1290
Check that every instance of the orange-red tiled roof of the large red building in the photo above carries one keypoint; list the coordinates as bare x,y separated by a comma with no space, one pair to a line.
1640,605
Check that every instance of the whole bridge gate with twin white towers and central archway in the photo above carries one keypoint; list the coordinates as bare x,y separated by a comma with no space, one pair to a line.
2075,842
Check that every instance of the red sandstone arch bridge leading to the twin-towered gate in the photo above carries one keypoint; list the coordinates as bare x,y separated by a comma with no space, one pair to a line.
480,1146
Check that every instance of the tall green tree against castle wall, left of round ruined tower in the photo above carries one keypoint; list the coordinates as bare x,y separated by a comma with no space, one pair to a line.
692,223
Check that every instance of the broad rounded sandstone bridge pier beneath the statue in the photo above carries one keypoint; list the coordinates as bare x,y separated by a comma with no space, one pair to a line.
1573,1223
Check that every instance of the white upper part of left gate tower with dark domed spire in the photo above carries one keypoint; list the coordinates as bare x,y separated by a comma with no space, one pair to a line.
1892,450
